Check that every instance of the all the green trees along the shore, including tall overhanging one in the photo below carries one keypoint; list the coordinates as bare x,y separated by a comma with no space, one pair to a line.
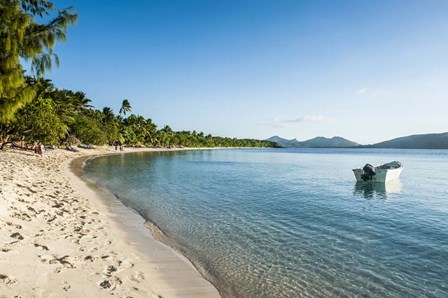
33,110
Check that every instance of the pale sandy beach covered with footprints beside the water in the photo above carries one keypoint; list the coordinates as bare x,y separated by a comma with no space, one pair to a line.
60,238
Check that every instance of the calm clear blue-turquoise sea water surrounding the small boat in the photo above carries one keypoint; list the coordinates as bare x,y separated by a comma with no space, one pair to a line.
293,222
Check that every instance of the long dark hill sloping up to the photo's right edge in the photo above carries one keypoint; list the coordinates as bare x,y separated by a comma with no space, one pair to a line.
423,141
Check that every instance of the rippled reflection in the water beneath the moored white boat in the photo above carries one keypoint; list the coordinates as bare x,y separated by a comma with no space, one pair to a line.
371,190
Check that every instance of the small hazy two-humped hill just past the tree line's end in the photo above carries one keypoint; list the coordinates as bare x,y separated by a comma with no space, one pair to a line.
313,143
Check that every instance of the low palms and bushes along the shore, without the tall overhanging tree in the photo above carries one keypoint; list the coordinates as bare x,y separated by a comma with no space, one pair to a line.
55,114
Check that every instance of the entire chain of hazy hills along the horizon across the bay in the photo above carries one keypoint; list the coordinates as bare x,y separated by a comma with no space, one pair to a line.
421,141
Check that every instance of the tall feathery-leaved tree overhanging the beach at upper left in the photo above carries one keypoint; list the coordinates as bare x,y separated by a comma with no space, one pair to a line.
22,37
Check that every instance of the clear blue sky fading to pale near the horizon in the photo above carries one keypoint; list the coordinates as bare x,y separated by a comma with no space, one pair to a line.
368,71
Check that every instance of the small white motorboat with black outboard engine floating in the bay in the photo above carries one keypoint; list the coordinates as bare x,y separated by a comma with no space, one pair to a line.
380,173
